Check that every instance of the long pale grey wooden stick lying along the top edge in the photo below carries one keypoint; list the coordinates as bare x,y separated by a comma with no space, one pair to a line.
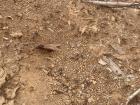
115,4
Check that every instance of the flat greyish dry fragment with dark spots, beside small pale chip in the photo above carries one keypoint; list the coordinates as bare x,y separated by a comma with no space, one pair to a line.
114,67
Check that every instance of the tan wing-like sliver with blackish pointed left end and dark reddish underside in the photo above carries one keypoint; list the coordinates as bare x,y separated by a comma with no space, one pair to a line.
49,47
